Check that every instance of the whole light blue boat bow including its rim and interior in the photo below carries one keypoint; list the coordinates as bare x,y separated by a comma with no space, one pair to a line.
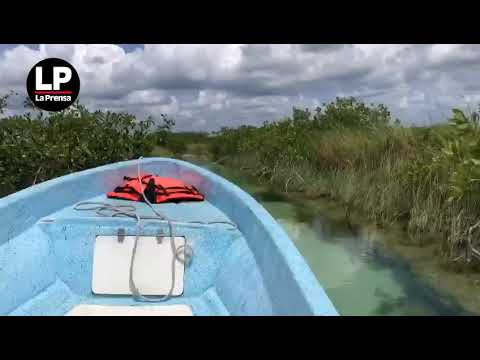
46,248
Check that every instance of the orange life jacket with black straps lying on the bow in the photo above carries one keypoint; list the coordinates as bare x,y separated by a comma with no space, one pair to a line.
156,189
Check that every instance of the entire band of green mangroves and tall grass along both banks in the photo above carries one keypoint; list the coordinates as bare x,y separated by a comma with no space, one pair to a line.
426,179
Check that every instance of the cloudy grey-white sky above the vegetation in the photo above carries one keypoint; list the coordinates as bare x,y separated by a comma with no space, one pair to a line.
204,87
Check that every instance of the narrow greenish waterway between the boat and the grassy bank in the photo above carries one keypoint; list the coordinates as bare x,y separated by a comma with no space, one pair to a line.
364,271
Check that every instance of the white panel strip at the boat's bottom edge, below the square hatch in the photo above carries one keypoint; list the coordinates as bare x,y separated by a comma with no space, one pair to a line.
106,310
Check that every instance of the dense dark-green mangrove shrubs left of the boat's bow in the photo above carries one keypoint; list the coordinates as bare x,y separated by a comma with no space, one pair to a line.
41,147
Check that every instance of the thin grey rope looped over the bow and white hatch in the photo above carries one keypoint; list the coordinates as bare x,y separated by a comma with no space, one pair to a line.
182,253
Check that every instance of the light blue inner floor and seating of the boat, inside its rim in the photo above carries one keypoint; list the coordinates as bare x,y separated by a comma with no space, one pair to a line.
53,274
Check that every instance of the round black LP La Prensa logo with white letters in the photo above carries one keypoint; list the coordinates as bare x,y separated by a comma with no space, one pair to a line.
53,84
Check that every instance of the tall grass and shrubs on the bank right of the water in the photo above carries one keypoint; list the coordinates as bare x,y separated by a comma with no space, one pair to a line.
426,179
